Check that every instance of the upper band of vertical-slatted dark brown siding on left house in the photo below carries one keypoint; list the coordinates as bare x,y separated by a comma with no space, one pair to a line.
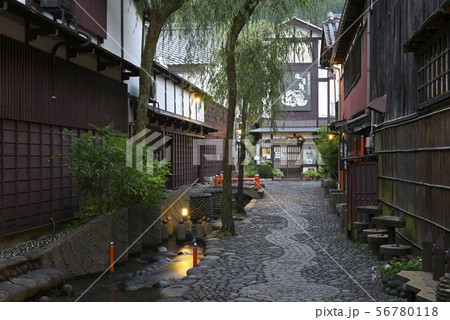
82,96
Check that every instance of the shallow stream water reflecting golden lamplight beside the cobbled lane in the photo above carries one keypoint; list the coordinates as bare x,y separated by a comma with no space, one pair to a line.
140,279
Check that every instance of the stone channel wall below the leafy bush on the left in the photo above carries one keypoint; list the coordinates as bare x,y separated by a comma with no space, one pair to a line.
85,250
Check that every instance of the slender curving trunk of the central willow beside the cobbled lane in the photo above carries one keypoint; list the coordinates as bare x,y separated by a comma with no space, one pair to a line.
239,22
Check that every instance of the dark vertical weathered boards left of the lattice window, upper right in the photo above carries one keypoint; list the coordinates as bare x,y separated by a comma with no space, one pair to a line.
393,71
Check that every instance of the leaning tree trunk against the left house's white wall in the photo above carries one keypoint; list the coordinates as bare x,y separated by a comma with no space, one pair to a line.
158,16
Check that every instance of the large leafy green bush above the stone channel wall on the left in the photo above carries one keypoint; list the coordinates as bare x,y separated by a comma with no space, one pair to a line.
103,181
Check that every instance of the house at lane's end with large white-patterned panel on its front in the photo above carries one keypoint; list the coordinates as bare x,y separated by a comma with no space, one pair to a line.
308,104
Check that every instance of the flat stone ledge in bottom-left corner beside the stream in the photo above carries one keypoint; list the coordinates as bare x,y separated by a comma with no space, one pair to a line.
25,286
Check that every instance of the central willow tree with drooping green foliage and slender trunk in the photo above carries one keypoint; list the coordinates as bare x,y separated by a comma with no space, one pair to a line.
225,26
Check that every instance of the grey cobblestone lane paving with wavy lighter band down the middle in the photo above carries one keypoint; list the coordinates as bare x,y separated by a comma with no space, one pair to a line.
290,249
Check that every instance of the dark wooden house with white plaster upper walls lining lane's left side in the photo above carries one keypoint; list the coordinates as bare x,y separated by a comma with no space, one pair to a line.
68,64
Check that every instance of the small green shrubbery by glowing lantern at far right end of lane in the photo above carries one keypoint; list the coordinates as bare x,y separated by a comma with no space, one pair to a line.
328,149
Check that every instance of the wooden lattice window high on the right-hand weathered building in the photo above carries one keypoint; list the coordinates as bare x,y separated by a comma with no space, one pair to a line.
433,69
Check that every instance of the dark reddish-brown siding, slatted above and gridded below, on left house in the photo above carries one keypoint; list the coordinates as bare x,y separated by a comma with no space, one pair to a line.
34,188
